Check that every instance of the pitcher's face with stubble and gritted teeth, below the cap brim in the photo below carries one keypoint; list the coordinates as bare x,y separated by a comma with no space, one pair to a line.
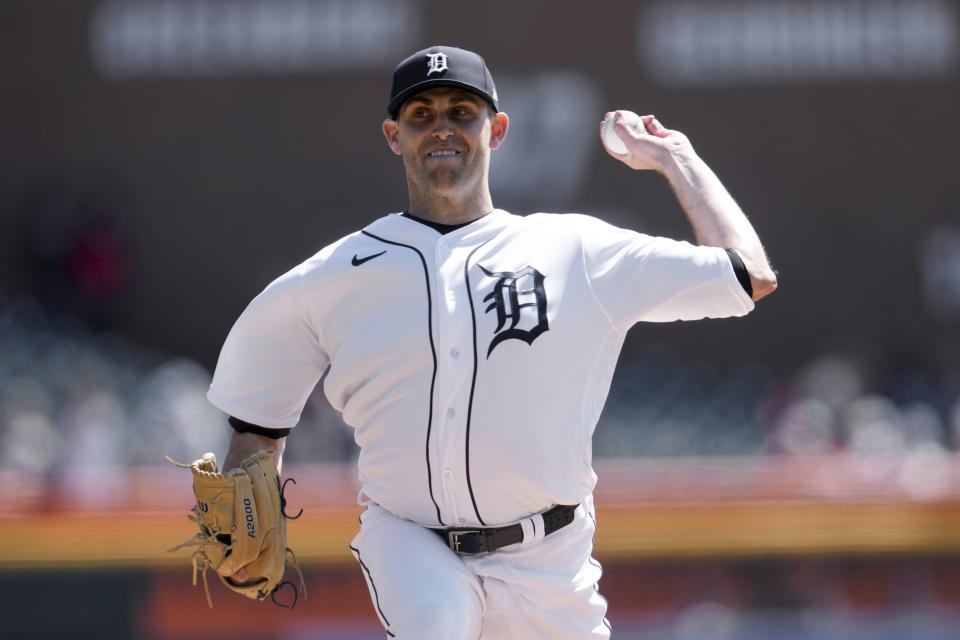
445,136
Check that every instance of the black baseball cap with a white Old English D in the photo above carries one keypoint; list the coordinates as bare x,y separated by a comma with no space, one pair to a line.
440,66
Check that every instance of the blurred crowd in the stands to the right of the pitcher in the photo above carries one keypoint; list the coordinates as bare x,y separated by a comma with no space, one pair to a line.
663,405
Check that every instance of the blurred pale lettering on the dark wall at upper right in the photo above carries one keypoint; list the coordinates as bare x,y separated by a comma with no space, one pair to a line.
694,44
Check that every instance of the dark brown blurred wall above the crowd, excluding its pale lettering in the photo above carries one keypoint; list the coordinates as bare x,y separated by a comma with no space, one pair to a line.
221,182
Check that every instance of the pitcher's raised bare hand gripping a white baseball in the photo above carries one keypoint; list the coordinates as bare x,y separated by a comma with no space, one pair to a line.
646,143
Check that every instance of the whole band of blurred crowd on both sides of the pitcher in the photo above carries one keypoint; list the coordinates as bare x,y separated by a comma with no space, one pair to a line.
75,399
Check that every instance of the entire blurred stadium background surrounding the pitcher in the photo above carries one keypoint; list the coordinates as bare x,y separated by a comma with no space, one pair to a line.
791,475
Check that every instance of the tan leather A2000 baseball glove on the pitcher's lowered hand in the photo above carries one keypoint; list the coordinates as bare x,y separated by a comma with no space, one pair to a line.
242,526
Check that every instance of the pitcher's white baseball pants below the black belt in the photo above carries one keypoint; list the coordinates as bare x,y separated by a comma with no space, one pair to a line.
541,588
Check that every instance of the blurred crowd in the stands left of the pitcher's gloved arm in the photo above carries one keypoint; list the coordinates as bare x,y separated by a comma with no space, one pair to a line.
73,399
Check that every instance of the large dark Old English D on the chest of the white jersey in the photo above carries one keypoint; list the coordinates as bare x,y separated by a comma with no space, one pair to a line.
520,304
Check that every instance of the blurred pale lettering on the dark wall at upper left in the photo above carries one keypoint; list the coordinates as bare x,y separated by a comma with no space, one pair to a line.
220,37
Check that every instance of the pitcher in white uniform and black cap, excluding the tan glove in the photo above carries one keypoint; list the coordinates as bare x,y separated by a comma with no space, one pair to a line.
472,351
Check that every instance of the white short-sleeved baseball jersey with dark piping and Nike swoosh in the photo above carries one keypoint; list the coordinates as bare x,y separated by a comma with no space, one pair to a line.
473,365
